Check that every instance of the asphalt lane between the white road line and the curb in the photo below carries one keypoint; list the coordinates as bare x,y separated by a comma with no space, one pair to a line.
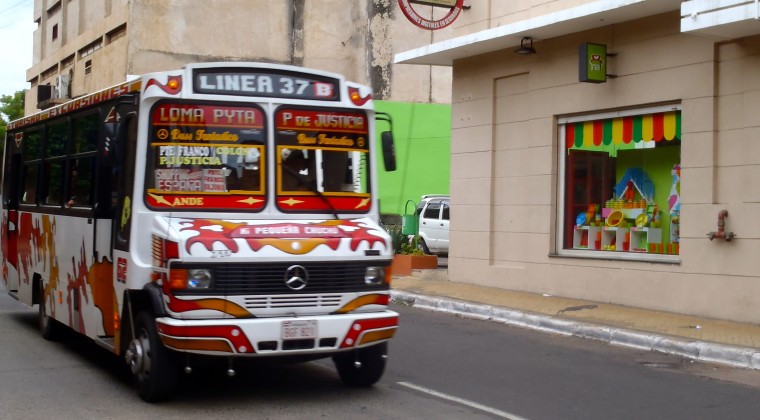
544,376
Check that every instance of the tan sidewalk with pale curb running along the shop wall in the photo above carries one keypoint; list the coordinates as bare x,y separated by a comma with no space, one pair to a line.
730,343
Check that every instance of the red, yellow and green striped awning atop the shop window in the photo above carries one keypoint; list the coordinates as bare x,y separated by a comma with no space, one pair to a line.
663,126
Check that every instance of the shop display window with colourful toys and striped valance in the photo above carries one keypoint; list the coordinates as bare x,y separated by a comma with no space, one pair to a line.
621,183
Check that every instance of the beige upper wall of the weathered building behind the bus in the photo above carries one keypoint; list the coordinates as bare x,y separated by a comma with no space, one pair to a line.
357,39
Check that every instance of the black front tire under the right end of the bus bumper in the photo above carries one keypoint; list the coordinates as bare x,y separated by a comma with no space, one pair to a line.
372,361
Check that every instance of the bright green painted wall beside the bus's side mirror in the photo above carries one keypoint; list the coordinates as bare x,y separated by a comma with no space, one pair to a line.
422,133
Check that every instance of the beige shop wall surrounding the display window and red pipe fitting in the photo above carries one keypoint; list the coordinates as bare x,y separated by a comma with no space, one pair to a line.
504,167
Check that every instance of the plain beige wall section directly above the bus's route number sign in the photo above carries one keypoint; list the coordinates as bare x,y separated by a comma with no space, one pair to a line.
167,34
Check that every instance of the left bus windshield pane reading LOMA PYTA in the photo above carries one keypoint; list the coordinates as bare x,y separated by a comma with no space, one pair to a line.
206,155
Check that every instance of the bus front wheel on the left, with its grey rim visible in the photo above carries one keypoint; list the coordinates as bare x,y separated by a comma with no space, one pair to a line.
153,366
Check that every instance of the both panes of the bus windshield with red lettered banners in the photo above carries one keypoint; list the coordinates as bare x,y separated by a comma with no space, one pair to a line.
213,156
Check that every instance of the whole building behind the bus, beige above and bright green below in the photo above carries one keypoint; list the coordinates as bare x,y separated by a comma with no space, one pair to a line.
81,46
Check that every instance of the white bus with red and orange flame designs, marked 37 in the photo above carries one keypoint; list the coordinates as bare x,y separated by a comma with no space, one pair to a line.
224,210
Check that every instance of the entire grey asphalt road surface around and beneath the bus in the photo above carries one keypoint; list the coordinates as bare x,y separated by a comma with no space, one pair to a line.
440,367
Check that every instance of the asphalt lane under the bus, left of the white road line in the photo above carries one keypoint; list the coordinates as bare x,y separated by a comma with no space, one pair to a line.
76,379
